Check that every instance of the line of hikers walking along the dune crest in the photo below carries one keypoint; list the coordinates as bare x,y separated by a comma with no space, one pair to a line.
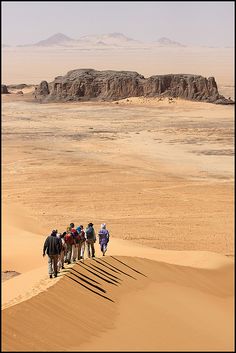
70,245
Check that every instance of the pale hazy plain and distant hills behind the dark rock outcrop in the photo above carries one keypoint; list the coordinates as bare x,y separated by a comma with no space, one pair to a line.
58,54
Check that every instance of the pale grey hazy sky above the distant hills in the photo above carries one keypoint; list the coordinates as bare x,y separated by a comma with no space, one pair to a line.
197,22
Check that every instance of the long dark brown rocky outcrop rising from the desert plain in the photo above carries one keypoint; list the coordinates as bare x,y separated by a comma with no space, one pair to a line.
89,84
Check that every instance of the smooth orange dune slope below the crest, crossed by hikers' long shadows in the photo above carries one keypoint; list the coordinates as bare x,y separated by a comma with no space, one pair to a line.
126,303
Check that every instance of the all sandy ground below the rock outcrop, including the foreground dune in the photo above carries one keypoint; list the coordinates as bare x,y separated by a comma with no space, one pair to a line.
161,175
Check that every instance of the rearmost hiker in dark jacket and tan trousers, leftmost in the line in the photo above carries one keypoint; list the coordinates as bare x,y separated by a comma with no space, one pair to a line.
52,246
